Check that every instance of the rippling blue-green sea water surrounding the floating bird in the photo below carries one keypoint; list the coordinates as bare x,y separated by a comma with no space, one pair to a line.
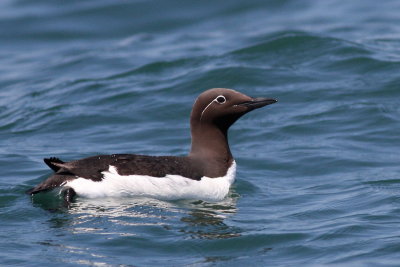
318,179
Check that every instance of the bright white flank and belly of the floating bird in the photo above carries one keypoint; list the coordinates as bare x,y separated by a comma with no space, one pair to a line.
170,187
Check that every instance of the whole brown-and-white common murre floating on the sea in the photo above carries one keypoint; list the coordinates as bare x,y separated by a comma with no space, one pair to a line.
206,173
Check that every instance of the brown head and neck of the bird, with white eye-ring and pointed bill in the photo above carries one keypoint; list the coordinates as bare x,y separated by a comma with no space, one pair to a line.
214,111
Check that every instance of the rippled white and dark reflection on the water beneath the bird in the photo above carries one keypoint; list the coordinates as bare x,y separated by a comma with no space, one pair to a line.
134,217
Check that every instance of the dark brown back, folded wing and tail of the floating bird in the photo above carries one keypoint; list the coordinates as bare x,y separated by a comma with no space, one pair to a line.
126,164
